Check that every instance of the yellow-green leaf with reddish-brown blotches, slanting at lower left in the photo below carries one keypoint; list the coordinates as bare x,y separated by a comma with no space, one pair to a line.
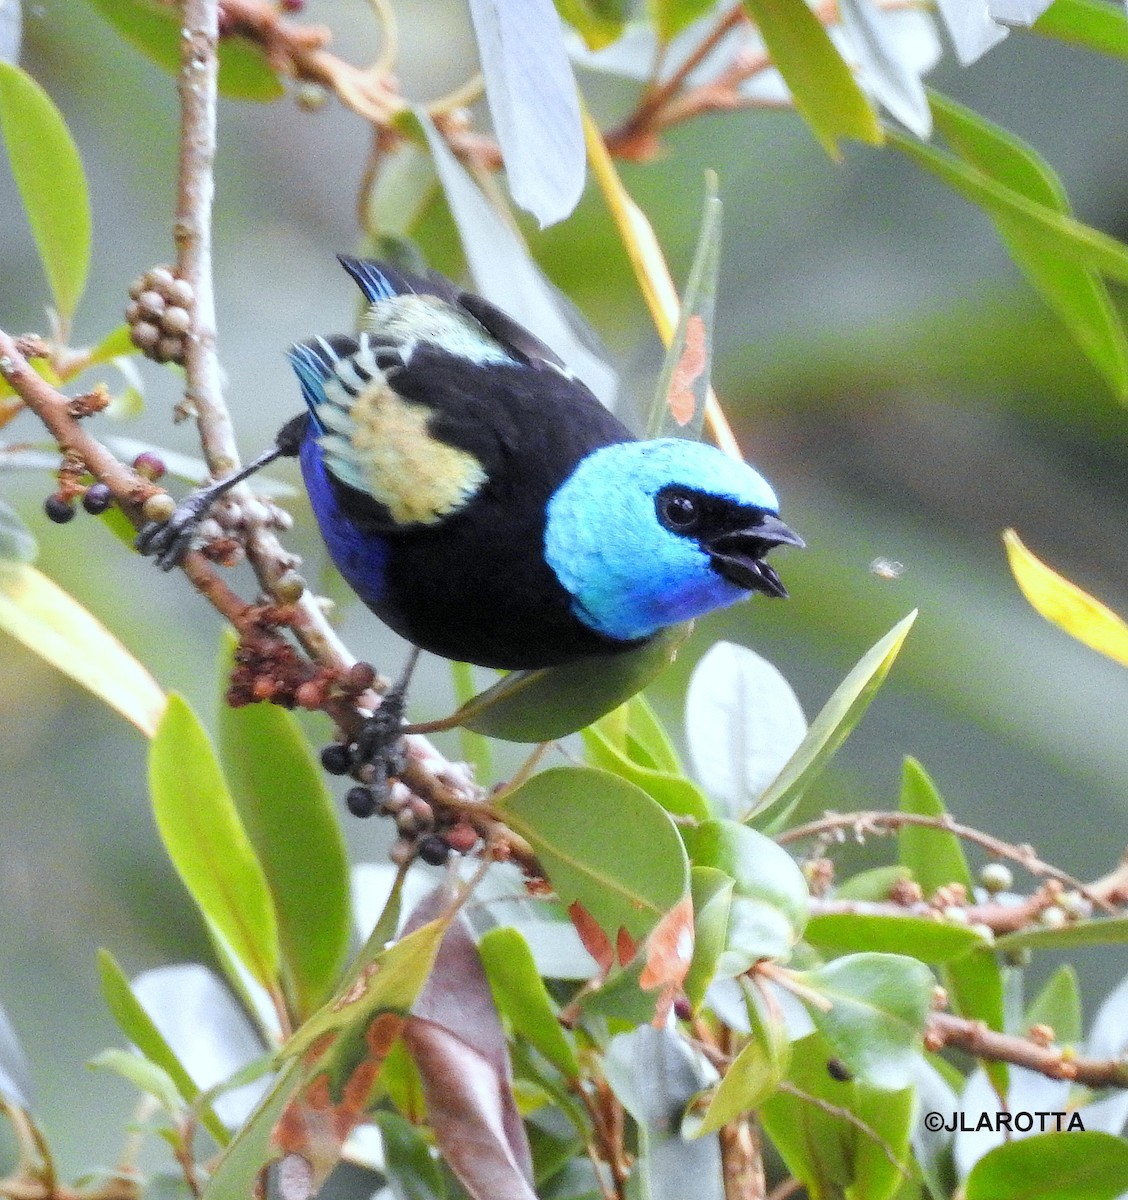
333,1064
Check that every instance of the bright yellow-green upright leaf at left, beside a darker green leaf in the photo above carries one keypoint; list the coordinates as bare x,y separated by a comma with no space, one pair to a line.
207,843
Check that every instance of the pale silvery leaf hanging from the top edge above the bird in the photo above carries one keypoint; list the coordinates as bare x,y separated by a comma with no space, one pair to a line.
533,103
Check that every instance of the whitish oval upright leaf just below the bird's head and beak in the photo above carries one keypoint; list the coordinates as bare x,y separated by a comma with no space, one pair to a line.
742,722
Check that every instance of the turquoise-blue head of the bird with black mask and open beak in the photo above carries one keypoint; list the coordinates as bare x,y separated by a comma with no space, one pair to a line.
646,535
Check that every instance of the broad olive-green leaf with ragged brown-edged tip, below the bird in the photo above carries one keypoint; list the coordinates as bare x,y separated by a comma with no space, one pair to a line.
603,842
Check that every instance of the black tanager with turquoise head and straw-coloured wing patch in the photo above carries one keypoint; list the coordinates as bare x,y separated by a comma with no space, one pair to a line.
485,506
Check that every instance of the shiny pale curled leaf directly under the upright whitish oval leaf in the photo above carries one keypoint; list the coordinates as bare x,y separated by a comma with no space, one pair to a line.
770,901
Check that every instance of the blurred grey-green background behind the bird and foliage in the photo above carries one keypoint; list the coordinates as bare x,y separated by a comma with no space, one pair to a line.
880,357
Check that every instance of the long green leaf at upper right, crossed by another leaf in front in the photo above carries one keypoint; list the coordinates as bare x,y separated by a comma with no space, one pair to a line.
1077,295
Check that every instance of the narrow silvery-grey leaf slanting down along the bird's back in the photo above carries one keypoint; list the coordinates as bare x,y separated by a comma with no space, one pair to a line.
505,272
